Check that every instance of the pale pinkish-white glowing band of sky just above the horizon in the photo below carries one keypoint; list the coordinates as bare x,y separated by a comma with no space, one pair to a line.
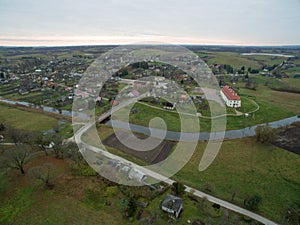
60,41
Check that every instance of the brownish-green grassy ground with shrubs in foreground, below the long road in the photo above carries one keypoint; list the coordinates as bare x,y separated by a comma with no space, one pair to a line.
90,200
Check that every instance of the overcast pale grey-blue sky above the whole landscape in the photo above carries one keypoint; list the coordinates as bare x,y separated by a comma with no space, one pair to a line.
86,22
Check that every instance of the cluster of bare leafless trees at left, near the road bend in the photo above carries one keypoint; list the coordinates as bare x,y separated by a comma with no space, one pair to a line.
25,145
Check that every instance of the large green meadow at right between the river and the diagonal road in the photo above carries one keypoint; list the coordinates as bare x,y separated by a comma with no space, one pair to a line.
248,168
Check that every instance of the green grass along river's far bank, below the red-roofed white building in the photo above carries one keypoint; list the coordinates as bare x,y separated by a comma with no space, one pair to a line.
268,112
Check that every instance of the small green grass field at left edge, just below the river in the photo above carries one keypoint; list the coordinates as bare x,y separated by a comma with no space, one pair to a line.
21,119
